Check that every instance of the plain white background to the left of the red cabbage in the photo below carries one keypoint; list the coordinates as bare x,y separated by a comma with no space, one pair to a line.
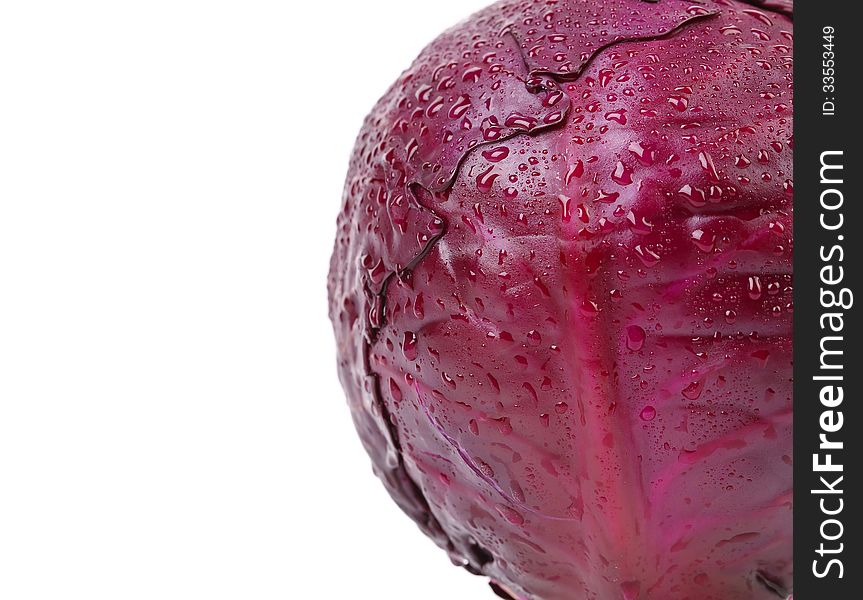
171,423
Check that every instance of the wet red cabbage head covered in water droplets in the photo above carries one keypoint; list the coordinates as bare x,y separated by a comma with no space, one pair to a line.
562,296
